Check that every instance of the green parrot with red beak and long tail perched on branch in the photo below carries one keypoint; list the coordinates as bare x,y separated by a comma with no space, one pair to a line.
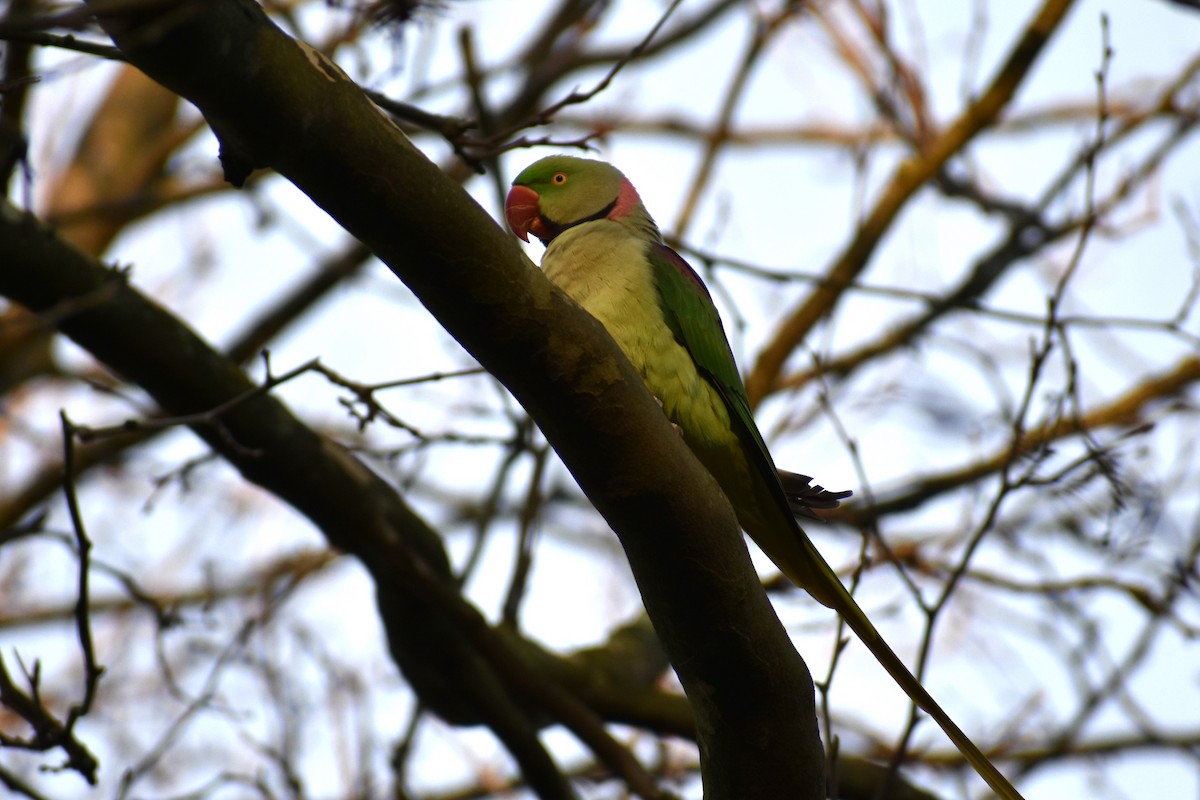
607,254
